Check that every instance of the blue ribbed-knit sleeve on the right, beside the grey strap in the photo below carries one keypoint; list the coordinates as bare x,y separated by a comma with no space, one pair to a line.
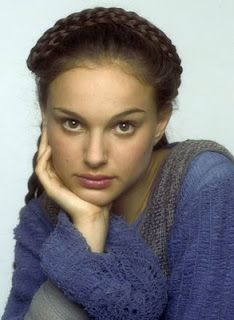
201,246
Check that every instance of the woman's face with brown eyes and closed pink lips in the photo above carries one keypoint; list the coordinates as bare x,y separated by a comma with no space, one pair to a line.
101,125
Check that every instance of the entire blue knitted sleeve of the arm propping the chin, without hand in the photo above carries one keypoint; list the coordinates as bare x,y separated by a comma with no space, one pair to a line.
124,281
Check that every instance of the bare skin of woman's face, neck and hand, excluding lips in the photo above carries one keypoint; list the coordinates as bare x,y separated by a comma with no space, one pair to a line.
86,132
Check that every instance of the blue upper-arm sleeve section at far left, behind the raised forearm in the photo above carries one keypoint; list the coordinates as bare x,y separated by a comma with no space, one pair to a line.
27,277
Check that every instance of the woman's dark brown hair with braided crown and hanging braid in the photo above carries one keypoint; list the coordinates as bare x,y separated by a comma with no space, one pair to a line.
101,36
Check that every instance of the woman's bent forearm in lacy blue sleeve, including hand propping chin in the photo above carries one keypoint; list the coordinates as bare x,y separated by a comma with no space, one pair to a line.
118,281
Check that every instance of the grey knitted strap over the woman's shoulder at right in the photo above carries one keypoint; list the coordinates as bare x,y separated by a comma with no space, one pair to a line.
159,215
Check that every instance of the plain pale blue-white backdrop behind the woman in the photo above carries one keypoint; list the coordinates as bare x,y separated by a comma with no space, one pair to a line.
203,32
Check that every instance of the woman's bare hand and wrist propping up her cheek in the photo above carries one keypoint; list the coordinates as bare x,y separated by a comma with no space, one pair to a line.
91,220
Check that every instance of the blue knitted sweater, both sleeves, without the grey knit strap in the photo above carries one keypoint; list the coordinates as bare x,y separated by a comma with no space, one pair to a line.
126,281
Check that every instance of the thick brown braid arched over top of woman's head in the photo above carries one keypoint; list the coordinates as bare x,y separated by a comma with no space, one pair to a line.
65,27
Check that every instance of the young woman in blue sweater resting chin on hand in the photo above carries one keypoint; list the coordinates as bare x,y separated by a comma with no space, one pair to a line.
119,223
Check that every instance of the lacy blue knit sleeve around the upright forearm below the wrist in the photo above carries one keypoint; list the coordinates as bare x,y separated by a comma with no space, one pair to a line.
124,282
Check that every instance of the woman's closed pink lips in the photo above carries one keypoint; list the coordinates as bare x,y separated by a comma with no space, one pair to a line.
95,181
